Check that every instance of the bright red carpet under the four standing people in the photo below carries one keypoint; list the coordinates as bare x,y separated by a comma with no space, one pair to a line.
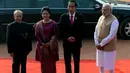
86,66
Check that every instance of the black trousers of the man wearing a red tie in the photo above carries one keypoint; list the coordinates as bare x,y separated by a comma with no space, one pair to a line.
75,52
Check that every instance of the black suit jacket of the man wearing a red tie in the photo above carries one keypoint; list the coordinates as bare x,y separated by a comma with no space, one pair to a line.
67,29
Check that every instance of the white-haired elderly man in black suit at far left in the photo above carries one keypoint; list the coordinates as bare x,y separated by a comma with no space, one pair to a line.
19,42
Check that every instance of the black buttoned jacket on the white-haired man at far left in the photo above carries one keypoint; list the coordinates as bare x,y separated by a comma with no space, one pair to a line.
19,38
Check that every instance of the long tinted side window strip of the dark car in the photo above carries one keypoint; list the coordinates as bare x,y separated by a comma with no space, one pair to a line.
41,3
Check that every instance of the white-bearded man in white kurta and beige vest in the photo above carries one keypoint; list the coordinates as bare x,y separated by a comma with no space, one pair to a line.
105,39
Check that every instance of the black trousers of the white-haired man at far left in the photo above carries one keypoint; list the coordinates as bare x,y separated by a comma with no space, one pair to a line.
19,59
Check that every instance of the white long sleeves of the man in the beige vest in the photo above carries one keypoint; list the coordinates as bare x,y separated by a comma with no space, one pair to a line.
113,32
